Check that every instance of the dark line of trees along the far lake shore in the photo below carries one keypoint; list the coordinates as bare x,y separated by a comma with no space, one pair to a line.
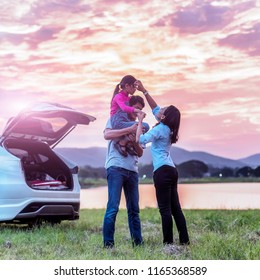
188,169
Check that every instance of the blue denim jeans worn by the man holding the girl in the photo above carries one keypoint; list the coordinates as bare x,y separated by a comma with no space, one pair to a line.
118,178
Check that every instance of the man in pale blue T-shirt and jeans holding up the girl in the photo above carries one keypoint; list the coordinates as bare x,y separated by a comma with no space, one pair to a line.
122,173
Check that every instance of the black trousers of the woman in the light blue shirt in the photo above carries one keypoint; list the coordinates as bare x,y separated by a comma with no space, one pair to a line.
165,181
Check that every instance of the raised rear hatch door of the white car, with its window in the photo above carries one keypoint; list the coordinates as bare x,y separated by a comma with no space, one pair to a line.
46,122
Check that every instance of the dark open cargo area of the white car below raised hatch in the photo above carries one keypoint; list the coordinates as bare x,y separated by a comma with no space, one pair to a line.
43,169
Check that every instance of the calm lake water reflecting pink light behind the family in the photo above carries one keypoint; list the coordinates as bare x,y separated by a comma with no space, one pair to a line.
192,196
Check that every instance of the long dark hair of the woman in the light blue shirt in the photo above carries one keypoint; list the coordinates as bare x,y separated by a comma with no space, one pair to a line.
172,120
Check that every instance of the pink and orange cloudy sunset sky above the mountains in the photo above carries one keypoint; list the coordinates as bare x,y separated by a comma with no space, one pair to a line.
202,56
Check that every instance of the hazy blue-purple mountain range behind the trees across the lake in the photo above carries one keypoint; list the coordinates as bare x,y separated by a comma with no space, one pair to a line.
95,157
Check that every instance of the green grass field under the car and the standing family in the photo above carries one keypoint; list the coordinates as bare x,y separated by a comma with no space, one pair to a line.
215,235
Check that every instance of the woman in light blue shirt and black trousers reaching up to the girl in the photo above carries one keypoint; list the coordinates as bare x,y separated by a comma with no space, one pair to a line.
165,176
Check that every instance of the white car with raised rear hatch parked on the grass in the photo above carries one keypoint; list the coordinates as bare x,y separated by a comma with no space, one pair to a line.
37,184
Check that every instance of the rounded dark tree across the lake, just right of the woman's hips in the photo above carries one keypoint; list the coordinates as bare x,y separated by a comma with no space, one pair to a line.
192,169
